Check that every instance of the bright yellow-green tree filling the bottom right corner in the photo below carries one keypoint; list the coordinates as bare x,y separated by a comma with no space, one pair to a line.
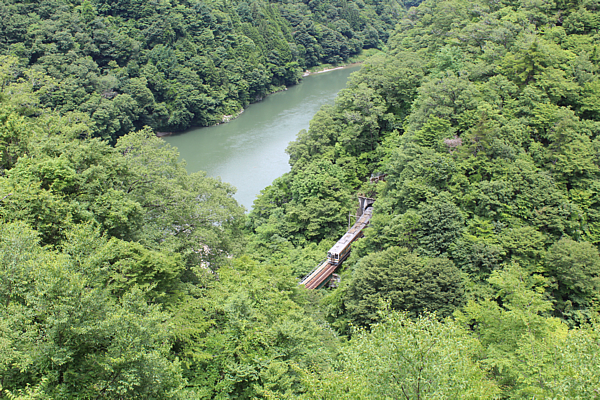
532,354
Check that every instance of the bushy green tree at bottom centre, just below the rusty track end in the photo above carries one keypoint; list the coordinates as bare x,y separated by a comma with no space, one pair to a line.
258,333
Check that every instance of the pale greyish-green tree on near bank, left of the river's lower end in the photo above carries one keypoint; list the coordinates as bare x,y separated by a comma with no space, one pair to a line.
191,214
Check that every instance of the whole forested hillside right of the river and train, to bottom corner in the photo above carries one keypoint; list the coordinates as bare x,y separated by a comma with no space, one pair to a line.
486,118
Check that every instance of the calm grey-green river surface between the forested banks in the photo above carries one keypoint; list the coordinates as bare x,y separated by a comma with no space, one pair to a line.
249,152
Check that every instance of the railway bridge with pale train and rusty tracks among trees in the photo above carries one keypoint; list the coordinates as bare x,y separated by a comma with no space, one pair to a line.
321,275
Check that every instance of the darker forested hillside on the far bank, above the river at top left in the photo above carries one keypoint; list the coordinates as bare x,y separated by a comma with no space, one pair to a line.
176,64
